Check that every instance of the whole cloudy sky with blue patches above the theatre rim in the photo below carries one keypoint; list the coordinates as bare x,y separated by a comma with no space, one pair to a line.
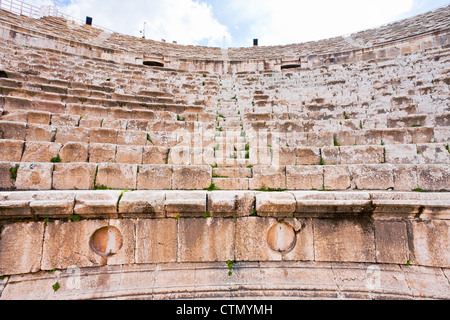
237,22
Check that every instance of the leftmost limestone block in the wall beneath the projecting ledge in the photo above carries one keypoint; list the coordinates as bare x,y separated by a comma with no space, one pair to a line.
21,248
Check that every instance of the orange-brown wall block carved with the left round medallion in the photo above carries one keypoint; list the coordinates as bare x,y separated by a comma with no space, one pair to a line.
69,244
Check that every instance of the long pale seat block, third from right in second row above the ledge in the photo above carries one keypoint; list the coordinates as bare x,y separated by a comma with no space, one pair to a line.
361,154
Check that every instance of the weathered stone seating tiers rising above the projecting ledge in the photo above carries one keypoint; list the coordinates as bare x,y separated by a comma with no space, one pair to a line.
69,120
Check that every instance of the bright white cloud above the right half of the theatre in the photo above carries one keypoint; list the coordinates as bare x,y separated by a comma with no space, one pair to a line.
293,21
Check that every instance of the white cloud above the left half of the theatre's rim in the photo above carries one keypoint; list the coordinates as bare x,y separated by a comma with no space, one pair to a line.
184,21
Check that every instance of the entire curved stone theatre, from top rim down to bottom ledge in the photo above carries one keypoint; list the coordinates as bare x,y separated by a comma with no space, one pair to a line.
137,169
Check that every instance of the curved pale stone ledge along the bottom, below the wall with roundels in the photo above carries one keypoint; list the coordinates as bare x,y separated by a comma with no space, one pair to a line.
304,280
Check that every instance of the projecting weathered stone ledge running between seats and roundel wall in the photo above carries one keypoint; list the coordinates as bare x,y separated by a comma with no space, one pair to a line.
160,204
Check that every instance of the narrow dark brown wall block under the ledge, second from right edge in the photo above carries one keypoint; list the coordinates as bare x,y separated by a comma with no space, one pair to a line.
391,241
